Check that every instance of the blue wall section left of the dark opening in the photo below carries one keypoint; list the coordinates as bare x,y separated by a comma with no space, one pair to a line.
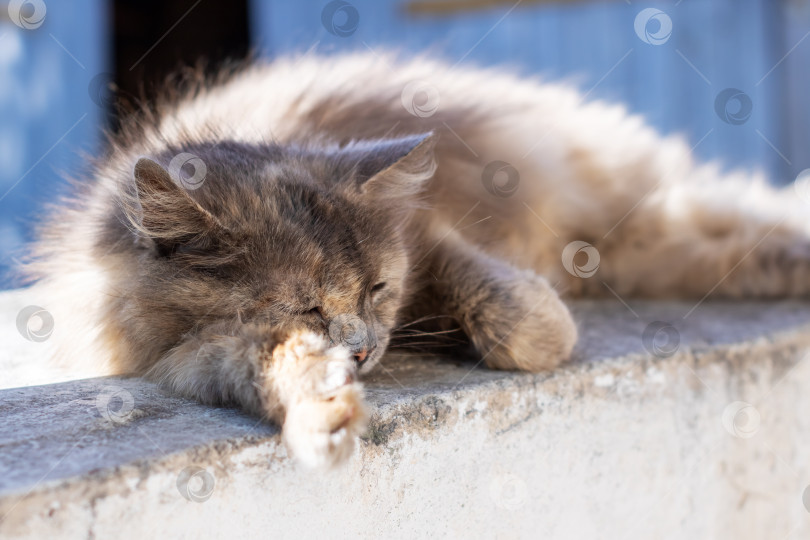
47,112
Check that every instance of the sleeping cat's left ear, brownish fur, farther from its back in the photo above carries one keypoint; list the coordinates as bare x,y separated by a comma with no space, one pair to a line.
163,210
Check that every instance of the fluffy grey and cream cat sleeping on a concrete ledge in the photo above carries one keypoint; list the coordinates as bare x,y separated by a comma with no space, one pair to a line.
258,240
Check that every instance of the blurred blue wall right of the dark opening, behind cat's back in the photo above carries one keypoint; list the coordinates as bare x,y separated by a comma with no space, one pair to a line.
713,45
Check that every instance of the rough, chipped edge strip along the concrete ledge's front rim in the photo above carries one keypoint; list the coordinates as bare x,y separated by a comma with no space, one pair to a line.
394,423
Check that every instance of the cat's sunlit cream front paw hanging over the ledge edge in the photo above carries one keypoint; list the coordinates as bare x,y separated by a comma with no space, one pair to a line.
325,413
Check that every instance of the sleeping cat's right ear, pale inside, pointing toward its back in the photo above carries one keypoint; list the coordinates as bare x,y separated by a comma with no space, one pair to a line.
394,168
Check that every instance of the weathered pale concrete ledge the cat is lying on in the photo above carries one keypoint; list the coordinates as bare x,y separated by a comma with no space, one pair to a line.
629,441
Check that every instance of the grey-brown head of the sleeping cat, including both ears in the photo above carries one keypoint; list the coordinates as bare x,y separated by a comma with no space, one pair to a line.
297,237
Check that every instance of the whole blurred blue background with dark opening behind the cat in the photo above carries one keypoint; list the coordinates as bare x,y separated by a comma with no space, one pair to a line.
730,75
